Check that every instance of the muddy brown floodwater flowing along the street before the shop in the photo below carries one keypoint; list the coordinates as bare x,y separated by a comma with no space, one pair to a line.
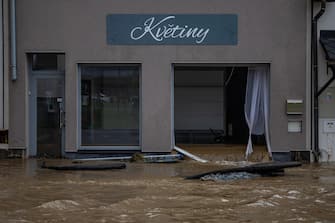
159,193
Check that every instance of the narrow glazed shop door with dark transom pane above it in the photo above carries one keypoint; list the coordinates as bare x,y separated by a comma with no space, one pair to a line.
47,111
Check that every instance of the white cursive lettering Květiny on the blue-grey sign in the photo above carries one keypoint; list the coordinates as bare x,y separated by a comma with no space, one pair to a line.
163,29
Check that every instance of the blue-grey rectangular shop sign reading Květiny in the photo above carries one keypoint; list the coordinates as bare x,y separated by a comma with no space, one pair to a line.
179,29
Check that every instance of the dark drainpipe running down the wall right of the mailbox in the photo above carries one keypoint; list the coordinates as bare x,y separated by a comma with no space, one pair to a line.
316,151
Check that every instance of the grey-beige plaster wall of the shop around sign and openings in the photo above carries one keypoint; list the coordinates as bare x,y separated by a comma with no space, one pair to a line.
269,31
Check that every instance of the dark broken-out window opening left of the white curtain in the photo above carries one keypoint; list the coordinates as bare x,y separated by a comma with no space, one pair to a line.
209,116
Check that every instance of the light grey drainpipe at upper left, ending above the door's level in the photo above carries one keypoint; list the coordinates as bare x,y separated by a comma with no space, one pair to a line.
12,8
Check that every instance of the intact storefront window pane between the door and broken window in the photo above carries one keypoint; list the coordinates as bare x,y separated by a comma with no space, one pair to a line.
109,105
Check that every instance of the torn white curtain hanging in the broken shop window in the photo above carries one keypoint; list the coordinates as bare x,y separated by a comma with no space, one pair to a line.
256,107
